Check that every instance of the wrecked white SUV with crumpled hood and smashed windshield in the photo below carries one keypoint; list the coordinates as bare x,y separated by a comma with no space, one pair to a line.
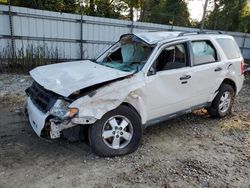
141,80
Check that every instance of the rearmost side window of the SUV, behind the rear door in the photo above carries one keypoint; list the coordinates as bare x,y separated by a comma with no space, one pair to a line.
229,47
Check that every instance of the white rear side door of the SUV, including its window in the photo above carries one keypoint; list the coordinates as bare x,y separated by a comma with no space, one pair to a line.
208,71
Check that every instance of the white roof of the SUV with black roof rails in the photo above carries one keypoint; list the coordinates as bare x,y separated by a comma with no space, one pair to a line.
156,37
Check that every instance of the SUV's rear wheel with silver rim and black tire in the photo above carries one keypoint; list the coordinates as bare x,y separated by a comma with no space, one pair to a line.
222,103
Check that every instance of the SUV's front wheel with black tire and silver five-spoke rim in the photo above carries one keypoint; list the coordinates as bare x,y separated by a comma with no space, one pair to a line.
119,132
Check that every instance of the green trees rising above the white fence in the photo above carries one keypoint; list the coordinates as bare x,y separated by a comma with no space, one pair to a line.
231,15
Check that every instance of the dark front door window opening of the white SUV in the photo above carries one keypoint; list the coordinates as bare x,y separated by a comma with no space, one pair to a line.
172,57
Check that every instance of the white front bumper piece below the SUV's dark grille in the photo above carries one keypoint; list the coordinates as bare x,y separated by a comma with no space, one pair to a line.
36,118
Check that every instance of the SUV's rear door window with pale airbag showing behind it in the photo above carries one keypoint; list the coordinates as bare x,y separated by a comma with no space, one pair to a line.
204,52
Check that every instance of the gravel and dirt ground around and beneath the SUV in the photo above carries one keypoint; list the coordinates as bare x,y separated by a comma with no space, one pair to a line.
191,151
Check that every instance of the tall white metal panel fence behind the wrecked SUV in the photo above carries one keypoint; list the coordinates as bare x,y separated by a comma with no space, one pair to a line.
62,32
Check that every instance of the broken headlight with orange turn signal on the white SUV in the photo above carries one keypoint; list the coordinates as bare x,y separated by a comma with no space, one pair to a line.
61,109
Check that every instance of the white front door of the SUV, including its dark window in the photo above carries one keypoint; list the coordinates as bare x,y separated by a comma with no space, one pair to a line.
169,89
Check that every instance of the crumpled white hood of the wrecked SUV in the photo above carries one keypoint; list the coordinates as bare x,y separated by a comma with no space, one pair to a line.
66,78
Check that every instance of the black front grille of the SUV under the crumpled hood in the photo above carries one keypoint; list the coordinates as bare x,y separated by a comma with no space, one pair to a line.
43,99
